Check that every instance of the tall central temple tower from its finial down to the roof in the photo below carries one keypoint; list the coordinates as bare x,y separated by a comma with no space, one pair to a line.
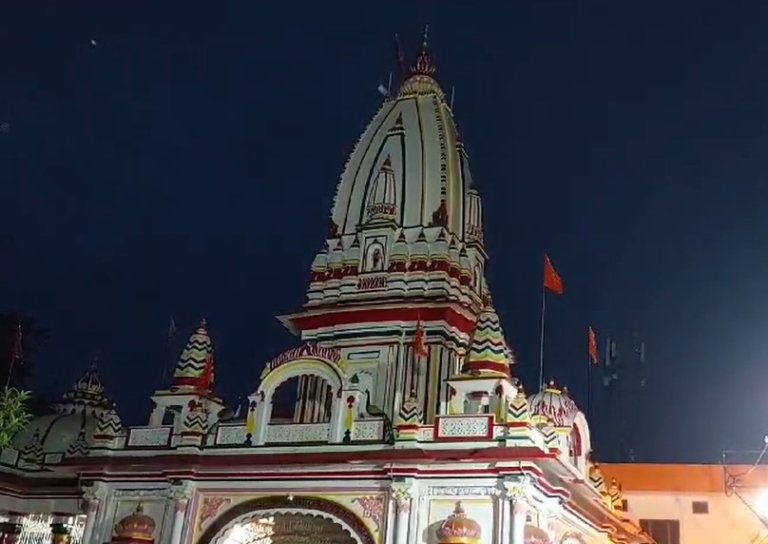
404,252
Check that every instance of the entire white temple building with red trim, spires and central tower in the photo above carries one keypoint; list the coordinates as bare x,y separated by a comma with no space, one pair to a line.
408,424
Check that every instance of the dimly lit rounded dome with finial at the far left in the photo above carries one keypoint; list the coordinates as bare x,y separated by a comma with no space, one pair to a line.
70,429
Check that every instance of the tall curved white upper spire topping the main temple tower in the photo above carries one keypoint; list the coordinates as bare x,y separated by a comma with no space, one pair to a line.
409,165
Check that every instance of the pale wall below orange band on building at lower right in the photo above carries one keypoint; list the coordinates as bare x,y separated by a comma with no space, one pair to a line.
728,520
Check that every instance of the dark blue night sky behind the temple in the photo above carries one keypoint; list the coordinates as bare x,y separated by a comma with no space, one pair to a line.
186,165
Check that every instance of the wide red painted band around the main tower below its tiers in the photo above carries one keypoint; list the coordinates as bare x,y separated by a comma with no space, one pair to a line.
317,320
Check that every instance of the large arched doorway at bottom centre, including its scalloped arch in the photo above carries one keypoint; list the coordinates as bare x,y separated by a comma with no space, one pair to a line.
280,520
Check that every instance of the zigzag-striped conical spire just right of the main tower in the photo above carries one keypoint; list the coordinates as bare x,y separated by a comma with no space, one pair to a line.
488,350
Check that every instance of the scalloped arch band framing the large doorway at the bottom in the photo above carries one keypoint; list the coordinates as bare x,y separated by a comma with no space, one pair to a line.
216,532
